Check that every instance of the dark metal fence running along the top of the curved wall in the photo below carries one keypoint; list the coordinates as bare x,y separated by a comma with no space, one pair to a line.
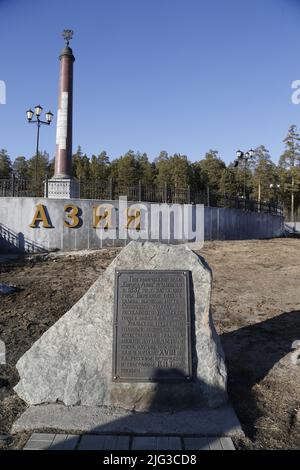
95,189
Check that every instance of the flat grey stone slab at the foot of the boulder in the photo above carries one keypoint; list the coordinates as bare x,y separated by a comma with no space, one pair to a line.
219,422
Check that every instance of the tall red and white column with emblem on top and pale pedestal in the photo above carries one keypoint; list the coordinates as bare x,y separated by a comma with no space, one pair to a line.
62,185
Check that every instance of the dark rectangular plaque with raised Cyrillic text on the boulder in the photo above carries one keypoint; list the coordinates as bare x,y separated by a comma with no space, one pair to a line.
152,326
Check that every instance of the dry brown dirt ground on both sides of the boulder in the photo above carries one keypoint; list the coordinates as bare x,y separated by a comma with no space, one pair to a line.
256,309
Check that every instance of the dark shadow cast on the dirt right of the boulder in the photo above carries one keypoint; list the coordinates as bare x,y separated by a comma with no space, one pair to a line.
251,352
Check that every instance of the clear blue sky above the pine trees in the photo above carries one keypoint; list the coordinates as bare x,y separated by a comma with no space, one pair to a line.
150,75
